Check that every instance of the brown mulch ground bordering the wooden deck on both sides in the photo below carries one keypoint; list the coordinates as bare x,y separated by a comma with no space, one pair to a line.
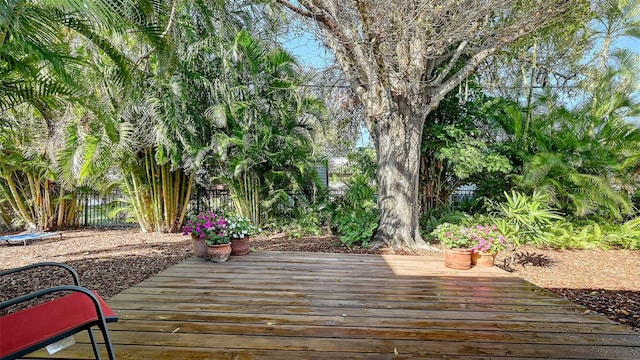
110,261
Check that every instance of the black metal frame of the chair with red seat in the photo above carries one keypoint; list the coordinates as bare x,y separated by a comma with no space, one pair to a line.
101,323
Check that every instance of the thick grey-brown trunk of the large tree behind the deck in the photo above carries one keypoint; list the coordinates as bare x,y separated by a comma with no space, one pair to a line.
397,137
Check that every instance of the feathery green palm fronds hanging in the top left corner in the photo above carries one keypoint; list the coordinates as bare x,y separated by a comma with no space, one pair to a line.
39,63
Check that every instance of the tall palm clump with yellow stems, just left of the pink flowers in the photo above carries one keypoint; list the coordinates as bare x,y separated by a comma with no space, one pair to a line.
154,129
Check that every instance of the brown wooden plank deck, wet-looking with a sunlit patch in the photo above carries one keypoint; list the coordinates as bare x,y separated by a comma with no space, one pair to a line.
277,305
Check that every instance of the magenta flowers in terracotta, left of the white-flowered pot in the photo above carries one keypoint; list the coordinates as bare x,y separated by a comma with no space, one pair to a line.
208,236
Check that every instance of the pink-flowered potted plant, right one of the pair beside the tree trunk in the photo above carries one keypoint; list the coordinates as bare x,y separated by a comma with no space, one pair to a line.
486,242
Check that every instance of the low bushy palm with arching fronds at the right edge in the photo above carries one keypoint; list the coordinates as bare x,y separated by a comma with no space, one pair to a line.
580,161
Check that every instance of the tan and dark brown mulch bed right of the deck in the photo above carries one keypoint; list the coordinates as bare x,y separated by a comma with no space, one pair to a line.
605,281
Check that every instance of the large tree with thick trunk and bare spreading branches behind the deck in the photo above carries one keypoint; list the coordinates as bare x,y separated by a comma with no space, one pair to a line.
401,58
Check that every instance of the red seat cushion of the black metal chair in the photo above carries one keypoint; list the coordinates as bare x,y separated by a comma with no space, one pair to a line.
41,322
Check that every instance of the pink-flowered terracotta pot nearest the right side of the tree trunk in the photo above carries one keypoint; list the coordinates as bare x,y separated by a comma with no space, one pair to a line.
456,243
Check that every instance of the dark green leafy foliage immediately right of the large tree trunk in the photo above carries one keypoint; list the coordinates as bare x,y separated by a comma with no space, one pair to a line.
457,144
